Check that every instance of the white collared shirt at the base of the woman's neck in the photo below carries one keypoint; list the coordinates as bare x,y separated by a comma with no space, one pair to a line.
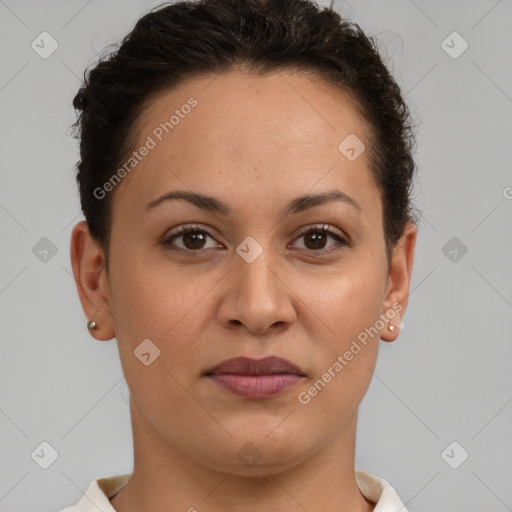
96,498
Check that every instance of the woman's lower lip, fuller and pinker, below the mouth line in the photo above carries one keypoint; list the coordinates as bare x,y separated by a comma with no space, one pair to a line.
256,386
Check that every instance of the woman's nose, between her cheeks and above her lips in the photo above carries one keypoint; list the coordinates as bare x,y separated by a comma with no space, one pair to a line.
257,296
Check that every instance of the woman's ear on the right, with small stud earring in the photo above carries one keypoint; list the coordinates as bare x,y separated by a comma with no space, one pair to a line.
397,293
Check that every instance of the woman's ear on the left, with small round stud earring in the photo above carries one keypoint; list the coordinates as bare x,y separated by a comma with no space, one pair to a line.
88,263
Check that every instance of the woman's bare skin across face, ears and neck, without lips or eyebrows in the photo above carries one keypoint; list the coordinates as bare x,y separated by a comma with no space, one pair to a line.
256,143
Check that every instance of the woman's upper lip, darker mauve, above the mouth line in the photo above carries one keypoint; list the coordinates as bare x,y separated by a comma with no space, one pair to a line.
246,366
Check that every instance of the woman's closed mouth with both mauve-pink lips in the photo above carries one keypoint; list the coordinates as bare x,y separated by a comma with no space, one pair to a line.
256,378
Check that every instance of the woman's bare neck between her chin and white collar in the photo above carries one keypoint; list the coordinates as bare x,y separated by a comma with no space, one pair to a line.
165,478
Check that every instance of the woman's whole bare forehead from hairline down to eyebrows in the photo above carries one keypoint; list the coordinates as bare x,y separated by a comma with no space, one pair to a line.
273,132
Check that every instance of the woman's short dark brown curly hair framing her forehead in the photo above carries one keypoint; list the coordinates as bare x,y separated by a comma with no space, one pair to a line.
176,41
